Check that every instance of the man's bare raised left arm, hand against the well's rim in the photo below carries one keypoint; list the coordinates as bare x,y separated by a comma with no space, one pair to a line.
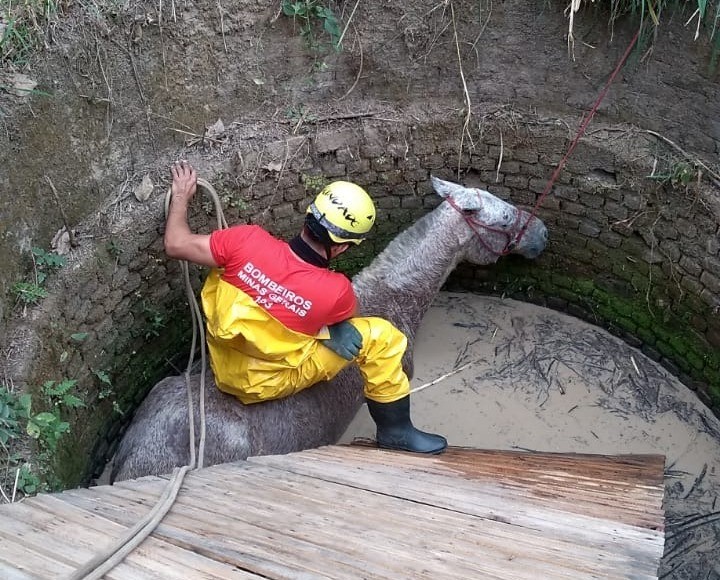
180,242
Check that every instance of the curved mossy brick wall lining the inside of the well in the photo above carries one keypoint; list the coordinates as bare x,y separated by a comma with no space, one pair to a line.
636,255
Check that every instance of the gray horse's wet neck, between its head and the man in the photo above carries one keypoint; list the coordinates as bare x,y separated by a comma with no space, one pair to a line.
404,278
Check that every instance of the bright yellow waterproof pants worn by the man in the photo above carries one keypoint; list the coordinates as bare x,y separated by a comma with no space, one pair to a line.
256,358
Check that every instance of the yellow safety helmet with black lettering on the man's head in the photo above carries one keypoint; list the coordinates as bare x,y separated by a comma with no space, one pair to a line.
345,210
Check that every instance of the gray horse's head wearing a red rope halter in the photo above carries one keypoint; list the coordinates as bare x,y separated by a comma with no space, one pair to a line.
496,226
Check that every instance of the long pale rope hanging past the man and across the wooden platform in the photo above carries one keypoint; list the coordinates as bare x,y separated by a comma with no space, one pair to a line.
101,564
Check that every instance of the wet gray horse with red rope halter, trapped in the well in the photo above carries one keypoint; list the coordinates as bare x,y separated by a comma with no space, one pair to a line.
399,285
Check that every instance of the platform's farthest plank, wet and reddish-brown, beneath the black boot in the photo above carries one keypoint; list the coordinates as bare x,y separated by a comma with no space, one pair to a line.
569,480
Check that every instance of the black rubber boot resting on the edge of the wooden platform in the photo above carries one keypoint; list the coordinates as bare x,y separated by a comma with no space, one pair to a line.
396,431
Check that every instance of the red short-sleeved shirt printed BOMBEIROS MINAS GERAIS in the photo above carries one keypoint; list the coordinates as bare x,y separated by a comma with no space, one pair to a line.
301,296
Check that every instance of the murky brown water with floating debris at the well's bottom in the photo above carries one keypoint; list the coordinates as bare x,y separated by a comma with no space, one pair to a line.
540,380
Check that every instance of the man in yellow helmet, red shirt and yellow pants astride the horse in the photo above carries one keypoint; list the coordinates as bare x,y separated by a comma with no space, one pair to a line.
279,321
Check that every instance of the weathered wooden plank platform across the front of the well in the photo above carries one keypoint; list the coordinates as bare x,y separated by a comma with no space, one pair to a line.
356,512
